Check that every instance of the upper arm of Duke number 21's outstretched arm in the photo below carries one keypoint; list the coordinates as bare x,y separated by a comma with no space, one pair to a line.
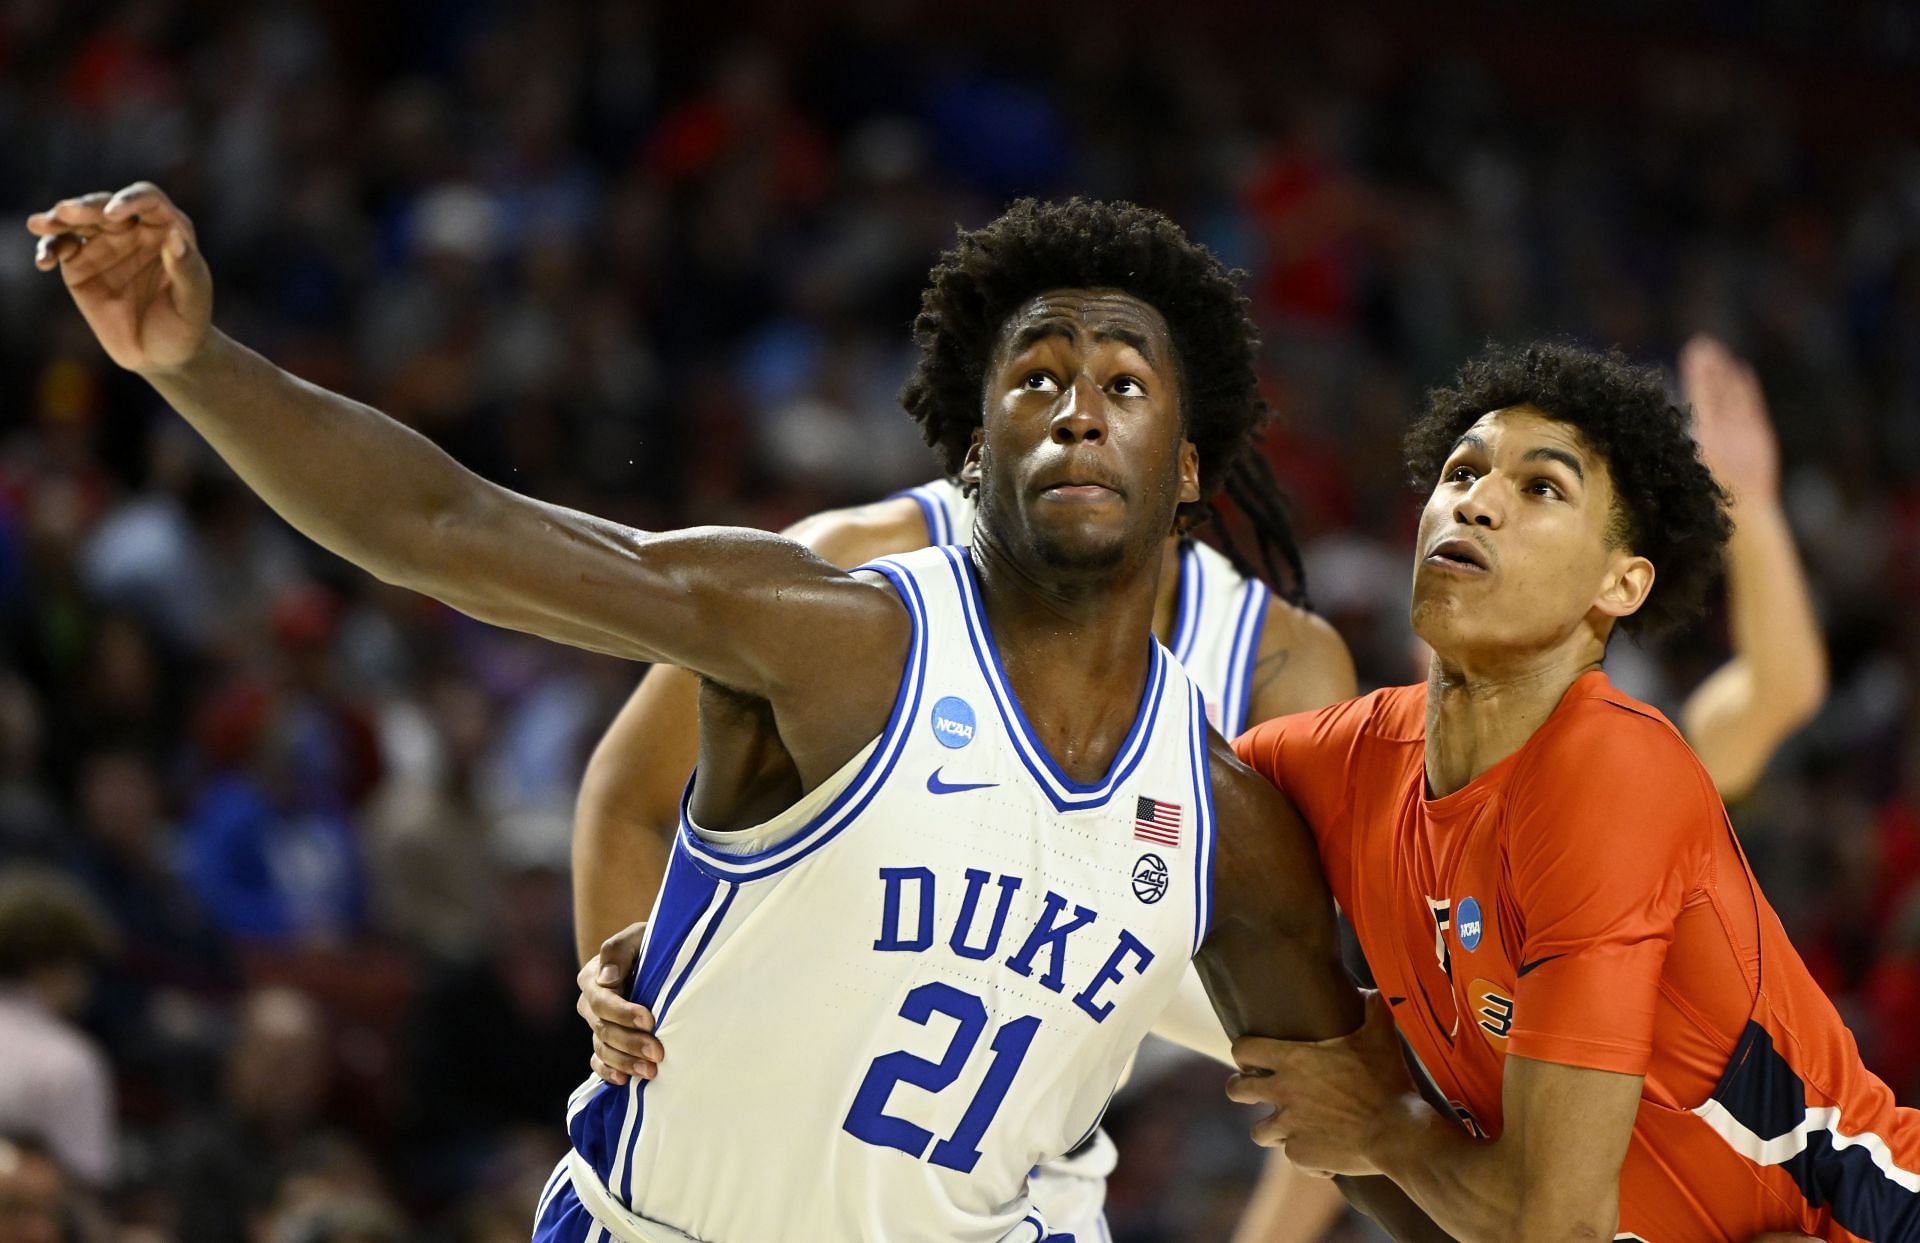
746,608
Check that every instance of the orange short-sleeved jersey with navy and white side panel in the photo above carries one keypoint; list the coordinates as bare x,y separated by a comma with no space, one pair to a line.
1585,902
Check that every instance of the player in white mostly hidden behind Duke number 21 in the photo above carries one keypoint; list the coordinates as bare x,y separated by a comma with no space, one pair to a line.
1253,654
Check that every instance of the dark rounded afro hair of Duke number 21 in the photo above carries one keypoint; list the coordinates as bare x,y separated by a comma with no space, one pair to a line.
1034,249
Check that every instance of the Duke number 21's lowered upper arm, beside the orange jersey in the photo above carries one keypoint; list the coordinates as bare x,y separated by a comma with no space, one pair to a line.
1272,956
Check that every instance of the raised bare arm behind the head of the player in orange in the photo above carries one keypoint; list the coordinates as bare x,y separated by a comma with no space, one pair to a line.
1777,677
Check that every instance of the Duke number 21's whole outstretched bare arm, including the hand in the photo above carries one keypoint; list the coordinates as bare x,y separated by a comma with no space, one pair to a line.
746,608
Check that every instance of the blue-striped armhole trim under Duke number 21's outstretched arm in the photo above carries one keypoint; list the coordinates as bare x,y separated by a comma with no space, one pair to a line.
859,792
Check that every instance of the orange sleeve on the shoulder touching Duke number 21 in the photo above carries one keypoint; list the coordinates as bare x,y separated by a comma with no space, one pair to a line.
1310,758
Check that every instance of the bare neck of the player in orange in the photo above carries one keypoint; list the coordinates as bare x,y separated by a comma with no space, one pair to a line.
1483,712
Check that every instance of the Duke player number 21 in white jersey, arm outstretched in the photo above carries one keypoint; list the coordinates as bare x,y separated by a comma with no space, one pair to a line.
957,821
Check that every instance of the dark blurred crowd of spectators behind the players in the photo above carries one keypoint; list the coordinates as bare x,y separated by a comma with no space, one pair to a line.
285,946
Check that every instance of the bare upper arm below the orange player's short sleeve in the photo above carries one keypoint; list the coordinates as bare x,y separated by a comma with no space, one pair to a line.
1572,1129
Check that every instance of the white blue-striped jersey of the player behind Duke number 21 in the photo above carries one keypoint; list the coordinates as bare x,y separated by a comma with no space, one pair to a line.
1216,621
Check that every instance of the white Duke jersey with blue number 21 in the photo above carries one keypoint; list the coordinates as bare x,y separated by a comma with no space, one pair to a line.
892,1002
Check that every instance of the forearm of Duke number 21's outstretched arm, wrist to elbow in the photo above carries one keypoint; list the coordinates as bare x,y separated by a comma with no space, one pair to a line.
347,475
